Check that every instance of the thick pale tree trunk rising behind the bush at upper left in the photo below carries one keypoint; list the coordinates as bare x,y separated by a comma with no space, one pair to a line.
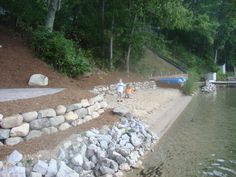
52,8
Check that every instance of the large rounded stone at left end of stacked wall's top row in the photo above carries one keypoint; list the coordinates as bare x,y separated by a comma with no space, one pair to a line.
12,121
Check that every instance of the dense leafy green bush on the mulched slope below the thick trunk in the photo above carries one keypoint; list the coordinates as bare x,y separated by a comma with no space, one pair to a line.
59,52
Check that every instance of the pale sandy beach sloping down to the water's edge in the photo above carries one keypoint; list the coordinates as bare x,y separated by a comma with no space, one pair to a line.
158,108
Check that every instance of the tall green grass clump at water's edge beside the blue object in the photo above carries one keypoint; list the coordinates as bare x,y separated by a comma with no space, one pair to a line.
191,84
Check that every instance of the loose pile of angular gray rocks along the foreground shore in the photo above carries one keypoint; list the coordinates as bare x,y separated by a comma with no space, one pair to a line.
105,152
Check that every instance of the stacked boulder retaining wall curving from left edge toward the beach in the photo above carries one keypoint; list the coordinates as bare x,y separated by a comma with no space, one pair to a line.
22,127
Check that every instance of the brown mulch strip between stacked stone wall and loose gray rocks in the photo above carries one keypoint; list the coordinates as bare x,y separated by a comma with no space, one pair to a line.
49,142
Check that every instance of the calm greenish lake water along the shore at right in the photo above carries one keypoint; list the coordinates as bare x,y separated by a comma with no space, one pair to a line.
202,141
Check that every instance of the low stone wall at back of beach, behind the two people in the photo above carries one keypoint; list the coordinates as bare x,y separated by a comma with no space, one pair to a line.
111,89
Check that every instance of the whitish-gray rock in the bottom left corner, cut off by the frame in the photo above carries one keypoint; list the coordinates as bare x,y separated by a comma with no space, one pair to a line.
14,171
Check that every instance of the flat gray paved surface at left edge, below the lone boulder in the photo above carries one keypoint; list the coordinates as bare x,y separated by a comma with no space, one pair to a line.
25,93
